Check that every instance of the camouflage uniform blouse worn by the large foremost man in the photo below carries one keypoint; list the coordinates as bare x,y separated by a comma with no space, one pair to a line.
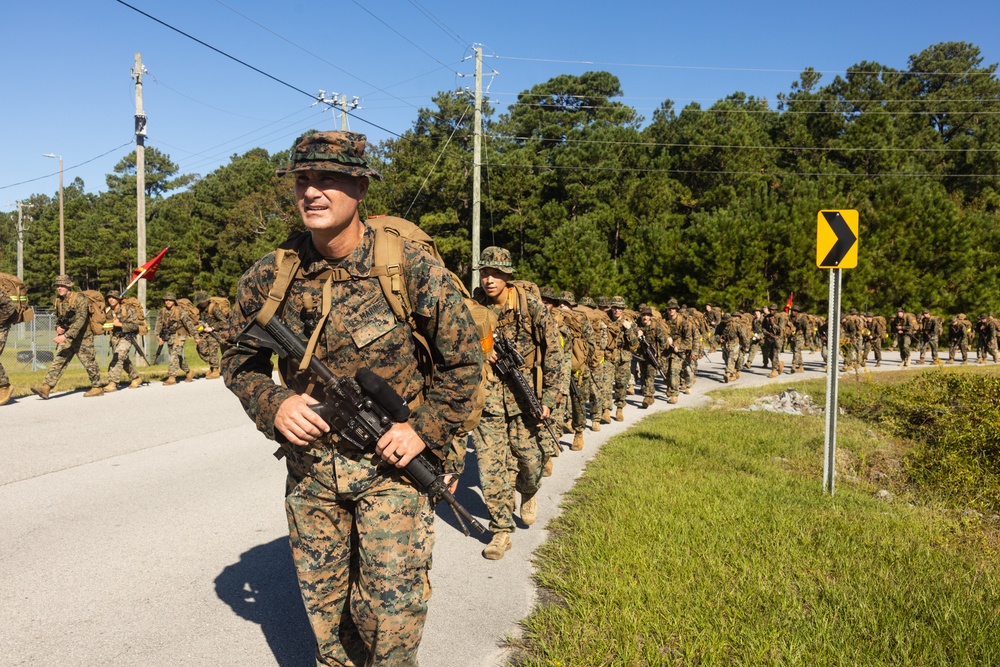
362,332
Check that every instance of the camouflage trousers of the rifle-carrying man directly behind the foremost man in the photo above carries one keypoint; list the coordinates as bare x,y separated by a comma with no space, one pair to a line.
510,459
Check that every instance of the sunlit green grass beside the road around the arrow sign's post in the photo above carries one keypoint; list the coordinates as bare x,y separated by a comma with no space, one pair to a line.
703,537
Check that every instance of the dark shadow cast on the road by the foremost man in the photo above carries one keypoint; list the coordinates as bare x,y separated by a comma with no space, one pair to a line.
262,588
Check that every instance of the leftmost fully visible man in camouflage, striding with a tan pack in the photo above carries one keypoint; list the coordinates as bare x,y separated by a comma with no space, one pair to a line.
73,337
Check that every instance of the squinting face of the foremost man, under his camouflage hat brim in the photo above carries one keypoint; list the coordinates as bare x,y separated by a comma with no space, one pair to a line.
328,200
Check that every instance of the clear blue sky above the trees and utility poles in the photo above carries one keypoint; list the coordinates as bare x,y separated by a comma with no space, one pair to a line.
68,88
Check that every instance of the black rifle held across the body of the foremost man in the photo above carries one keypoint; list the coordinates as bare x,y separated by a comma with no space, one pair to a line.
360,409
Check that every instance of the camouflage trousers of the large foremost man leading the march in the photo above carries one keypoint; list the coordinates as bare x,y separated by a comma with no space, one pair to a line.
362,563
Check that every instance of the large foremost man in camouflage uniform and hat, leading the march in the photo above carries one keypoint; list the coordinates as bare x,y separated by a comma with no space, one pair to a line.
361,534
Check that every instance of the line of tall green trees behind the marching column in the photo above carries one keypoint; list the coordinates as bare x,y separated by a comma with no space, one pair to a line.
713,204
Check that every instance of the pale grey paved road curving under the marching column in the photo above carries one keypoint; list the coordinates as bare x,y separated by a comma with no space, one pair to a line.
146,527
